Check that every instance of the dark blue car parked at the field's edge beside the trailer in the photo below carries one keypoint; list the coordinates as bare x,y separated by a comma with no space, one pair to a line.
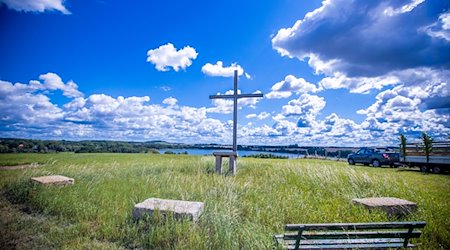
375,156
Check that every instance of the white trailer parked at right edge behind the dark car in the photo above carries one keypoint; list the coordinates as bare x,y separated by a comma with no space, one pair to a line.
437,162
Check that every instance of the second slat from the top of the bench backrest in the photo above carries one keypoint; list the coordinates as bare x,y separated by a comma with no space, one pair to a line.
352,235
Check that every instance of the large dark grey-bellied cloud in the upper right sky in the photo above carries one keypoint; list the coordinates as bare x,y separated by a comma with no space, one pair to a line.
371,45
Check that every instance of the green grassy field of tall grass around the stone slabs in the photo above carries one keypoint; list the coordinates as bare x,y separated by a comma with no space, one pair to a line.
241,212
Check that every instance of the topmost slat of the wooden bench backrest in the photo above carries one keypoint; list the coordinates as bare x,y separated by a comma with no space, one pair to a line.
354,226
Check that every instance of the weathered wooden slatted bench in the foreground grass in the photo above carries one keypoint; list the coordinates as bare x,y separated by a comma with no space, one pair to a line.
349,235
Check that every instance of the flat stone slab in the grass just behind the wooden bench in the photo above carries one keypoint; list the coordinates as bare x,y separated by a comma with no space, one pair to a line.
391,205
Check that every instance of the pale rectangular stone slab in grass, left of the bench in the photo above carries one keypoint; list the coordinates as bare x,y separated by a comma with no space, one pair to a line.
190,210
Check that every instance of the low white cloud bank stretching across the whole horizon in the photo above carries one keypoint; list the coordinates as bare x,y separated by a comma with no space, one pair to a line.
27,110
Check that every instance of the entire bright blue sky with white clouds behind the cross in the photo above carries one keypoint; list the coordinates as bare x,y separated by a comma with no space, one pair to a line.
334,73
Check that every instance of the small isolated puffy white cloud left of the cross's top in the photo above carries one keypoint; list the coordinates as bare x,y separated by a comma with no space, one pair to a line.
167,56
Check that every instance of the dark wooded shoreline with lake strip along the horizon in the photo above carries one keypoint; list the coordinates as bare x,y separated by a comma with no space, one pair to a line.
15,145
